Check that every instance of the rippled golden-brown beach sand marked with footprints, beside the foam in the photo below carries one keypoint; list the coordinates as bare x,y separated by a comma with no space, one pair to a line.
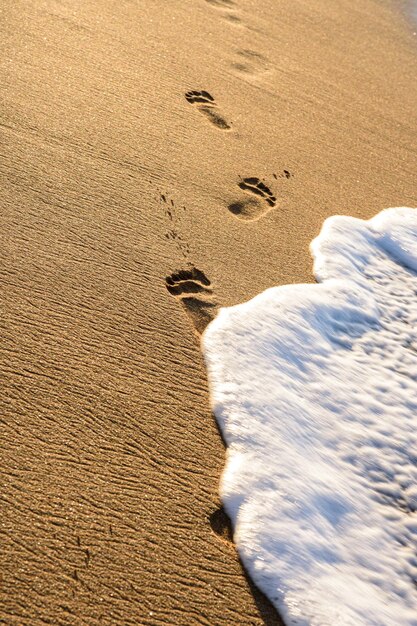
111,181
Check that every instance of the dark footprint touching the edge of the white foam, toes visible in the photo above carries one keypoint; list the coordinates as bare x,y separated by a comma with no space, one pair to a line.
193,289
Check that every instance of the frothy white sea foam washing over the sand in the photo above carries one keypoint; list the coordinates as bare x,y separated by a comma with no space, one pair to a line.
315,390
